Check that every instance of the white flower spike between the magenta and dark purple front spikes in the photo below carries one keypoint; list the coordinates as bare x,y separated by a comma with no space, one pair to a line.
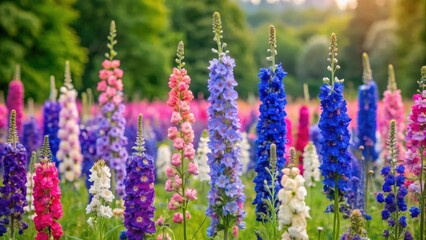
100,190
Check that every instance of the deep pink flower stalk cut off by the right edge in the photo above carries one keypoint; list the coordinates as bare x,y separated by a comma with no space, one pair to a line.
415,159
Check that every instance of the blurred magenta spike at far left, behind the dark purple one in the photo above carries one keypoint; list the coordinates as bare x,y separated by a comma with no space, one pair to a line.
15,99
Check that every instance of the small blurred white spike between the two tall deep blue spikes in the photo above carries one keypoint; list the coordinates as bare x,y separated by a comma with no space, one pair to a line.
311,165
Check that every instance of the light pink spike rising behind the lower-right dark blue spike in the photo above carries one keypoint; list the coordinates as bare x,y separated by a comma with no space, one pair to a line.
393,109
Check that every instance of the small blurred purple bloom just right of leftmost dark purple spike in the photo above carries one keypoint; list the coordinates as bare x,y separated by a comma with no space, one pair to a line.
31,137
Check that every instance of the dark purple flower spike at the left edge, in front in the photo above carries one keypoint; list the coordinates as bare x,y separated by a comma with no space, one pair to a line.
13,191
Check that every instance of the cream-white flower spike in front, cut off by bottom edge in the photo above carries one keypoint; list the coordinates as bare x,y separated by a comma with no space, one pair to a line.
293,211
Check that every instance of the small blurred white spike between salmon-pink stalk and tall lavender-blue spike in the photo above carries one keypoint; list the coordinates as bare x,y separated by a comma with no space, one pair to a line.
201,158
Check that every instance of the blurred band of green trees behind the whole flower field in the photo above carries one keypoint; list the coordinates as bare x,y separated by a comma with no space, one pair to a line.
42,34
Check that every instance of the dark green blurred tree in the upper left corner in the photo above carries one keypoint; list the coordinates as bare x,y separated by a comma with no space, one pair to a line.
37,34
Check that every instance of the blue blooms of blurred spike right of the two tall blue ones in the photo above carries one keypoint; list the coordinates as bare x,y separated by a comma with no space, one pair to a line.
367,120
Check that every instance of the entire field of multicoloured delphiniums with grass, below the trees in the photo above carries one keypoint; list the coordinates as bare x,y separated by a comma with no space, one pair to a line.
214,168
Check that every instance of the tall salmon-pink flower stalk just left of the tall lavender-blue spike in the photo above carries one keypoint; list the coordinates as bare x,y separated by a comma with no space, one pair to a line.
182,135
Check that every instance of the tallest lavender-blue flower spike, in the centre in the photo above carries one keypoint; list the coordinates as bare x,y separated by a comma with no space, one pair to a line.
226,196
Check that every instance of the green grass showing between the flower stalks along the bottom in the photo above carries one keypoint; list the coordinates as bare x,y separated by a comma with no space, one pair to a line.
75,227
